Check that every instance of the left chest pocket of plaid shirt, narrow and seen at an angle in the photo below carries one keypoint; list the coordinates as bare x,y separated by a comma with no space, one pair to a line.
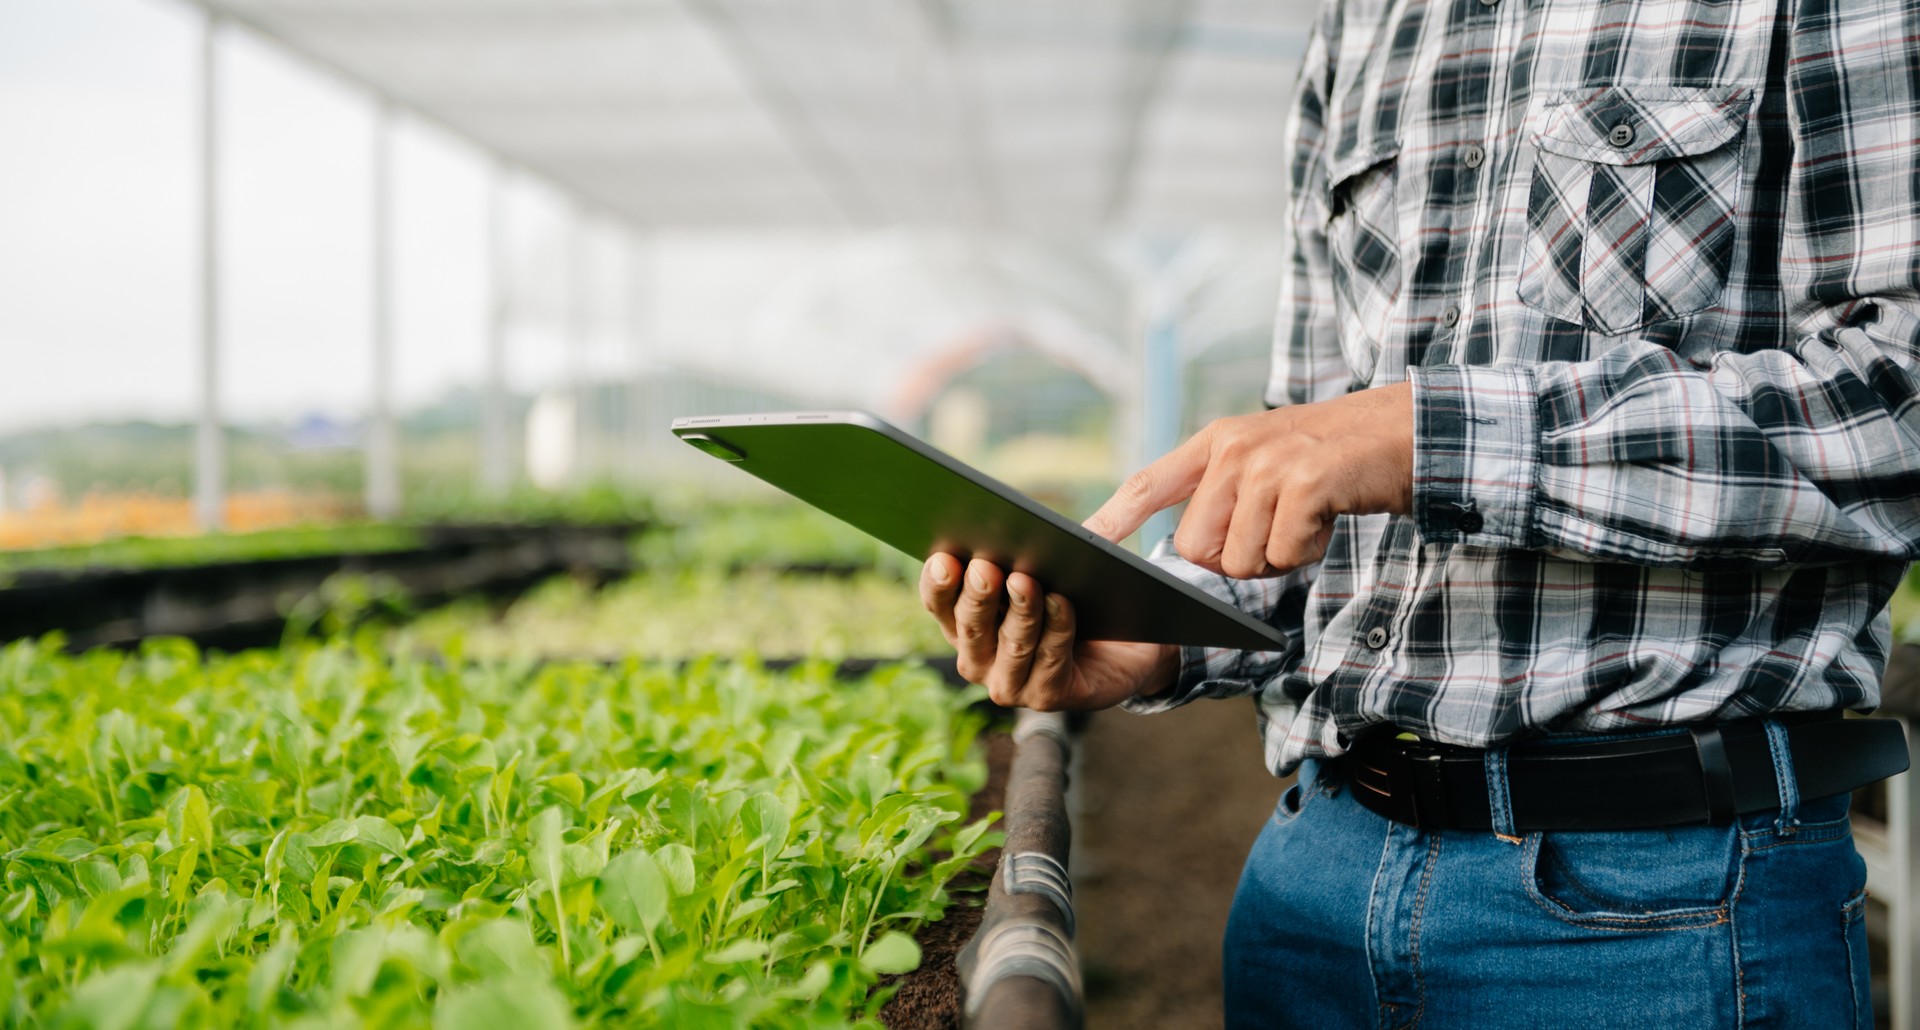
1364,247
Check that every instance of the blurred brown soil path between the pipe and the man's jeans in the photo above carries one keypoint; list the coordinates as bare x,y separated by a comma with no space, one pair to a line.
1170,806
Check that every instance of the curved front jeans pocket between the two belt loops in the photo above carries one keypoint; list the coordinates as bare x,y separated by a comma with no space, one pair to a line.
1671,879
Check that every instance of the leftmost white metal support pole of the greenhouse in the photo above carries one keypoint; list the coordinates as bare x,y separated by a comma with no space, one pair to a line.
210,453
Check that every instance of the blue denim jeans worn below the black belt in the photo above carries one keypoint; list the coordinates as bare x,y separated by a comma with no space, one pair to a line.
1349,920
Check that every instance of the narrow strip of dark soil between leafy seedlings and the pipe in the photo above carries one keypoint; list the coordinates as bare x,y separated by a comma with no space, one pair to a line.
930,996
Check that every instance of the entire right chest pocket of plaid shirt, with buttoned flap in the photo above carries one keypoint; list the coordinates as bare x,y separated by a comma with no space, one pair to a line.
1631,212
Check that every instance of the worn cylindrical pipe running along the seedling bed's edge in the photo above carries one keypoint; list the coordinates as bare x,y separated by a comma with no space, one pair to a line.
1020,969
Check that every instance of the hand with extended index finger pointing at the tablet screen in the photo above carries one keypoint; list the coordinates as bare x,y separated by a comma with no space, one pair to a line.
1266,487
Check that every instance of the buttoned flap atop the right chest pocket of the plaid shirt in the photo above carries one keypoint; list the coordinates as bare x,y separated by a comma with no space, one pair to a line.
1620,126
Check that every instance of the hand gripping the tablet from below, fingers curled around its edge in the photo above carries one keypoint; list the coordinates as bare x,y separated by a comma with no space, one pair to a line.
1019,641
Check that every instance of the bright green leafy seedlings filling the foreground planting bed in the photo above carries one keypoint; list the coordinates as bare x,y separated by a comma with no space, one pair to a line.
322,835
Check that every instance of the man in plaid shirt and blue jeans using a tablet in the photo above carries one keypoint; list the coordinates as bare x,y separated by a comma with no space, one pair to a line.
1595,424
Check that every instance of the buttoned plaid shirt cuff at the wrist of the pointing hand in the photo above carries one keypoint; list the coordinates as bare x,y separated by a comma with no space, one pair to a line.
1476,451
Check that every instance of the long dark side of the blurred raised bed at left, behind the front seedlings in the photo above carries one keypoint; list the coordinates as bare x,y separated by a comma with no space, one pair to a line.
245,602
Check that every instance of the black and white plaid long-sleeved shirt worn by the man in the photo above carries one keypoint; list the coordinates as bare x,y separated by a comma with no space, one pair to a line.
1654,270
